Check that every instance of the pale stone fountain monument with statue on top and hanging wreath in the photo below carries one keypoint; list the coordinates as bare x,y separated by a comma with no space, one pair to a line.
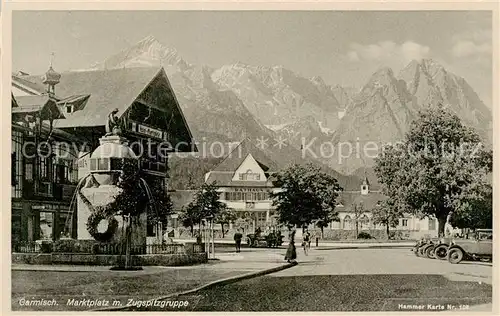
99,217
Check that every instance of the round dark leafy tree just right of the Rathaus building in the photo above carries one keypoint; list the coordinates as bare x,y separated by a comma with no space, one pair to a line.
306,195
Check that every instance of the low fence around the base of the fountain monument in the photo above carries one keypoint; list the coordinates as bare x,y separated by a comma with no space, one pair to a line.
74,246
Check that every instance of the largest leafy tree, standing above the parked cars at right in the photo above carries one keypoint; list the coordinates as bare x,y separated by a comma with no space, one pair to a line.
429,172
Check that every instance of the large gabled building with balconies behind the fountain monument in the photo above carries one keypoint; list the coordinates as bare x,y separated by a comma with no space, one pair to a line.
68,113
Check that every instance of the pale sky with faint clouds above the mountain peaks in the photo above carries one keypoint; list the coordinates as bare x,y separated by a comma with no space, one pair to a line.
342,47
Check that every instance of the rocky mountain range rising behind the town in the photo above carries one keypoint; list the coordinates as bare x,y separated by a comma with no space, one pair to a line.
240,101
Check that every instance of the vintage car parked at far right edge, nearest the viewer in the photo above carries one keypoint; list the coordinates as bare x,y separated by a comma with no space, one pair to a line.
478,248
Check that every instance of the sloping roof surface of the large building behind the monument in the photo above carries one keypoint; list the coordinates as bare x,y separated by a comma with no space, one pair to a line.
108,89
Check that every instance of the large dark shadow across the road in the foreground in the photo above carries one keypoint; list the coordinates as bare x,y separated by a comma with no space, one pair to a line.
342,293
